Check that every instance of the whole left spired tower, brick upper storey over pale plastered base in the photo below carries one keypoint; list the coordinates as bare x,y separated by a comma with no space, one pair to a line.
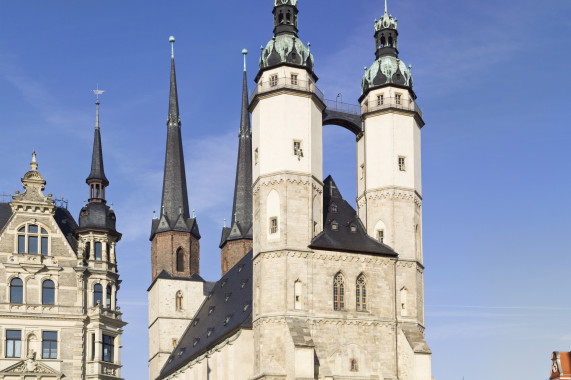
176,290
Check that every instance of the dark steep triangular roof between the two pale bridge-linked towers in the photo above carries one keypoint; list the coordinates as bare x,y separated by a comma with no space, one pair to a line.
342,229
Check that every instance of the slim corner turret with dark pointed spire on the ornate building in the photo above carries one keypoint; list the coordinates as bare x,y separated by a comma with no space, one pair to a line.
97,237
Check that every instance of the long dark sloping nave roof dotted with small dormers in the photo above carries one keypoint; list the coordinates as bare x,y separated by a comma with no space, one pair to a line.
225,311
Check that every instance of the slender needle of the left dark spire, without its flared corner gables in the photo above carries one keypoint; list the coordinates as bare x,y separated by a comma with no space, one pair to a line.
175,194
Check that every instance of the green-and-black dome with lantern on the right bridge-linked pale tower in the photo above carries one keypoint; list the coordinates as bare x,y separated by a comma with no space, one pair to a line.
387,69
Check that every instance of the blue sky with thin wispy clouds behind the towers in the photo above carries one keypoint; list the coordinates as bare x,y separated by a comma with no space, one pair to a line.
491,80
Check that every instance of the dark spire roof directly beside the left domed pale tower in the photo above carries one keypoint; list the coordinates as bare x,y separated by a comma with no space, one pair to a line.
242,211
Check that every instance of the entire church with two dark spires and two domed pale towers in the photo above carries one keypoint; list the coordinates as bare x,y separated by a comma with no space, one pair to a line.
311,288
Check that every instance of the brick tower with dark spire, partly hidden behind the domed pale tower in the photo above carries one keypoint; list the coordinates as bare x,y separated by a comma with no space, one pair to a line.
237,239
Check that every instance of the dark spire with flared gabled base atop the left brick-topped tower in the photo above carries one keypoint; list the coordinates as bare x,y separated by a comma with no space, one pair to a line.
174,214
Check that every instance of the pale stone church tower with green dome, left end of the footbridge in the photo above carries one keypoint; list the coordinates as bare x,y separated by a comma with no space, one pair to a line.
286,112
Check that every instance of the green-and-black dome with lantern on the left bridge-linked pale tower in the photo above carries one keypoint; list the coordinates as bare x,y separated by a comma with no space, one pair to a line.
285,47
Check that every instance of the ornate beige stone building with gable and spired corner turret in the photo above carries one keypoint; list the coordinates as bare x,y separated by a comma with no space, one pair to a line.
59,317
